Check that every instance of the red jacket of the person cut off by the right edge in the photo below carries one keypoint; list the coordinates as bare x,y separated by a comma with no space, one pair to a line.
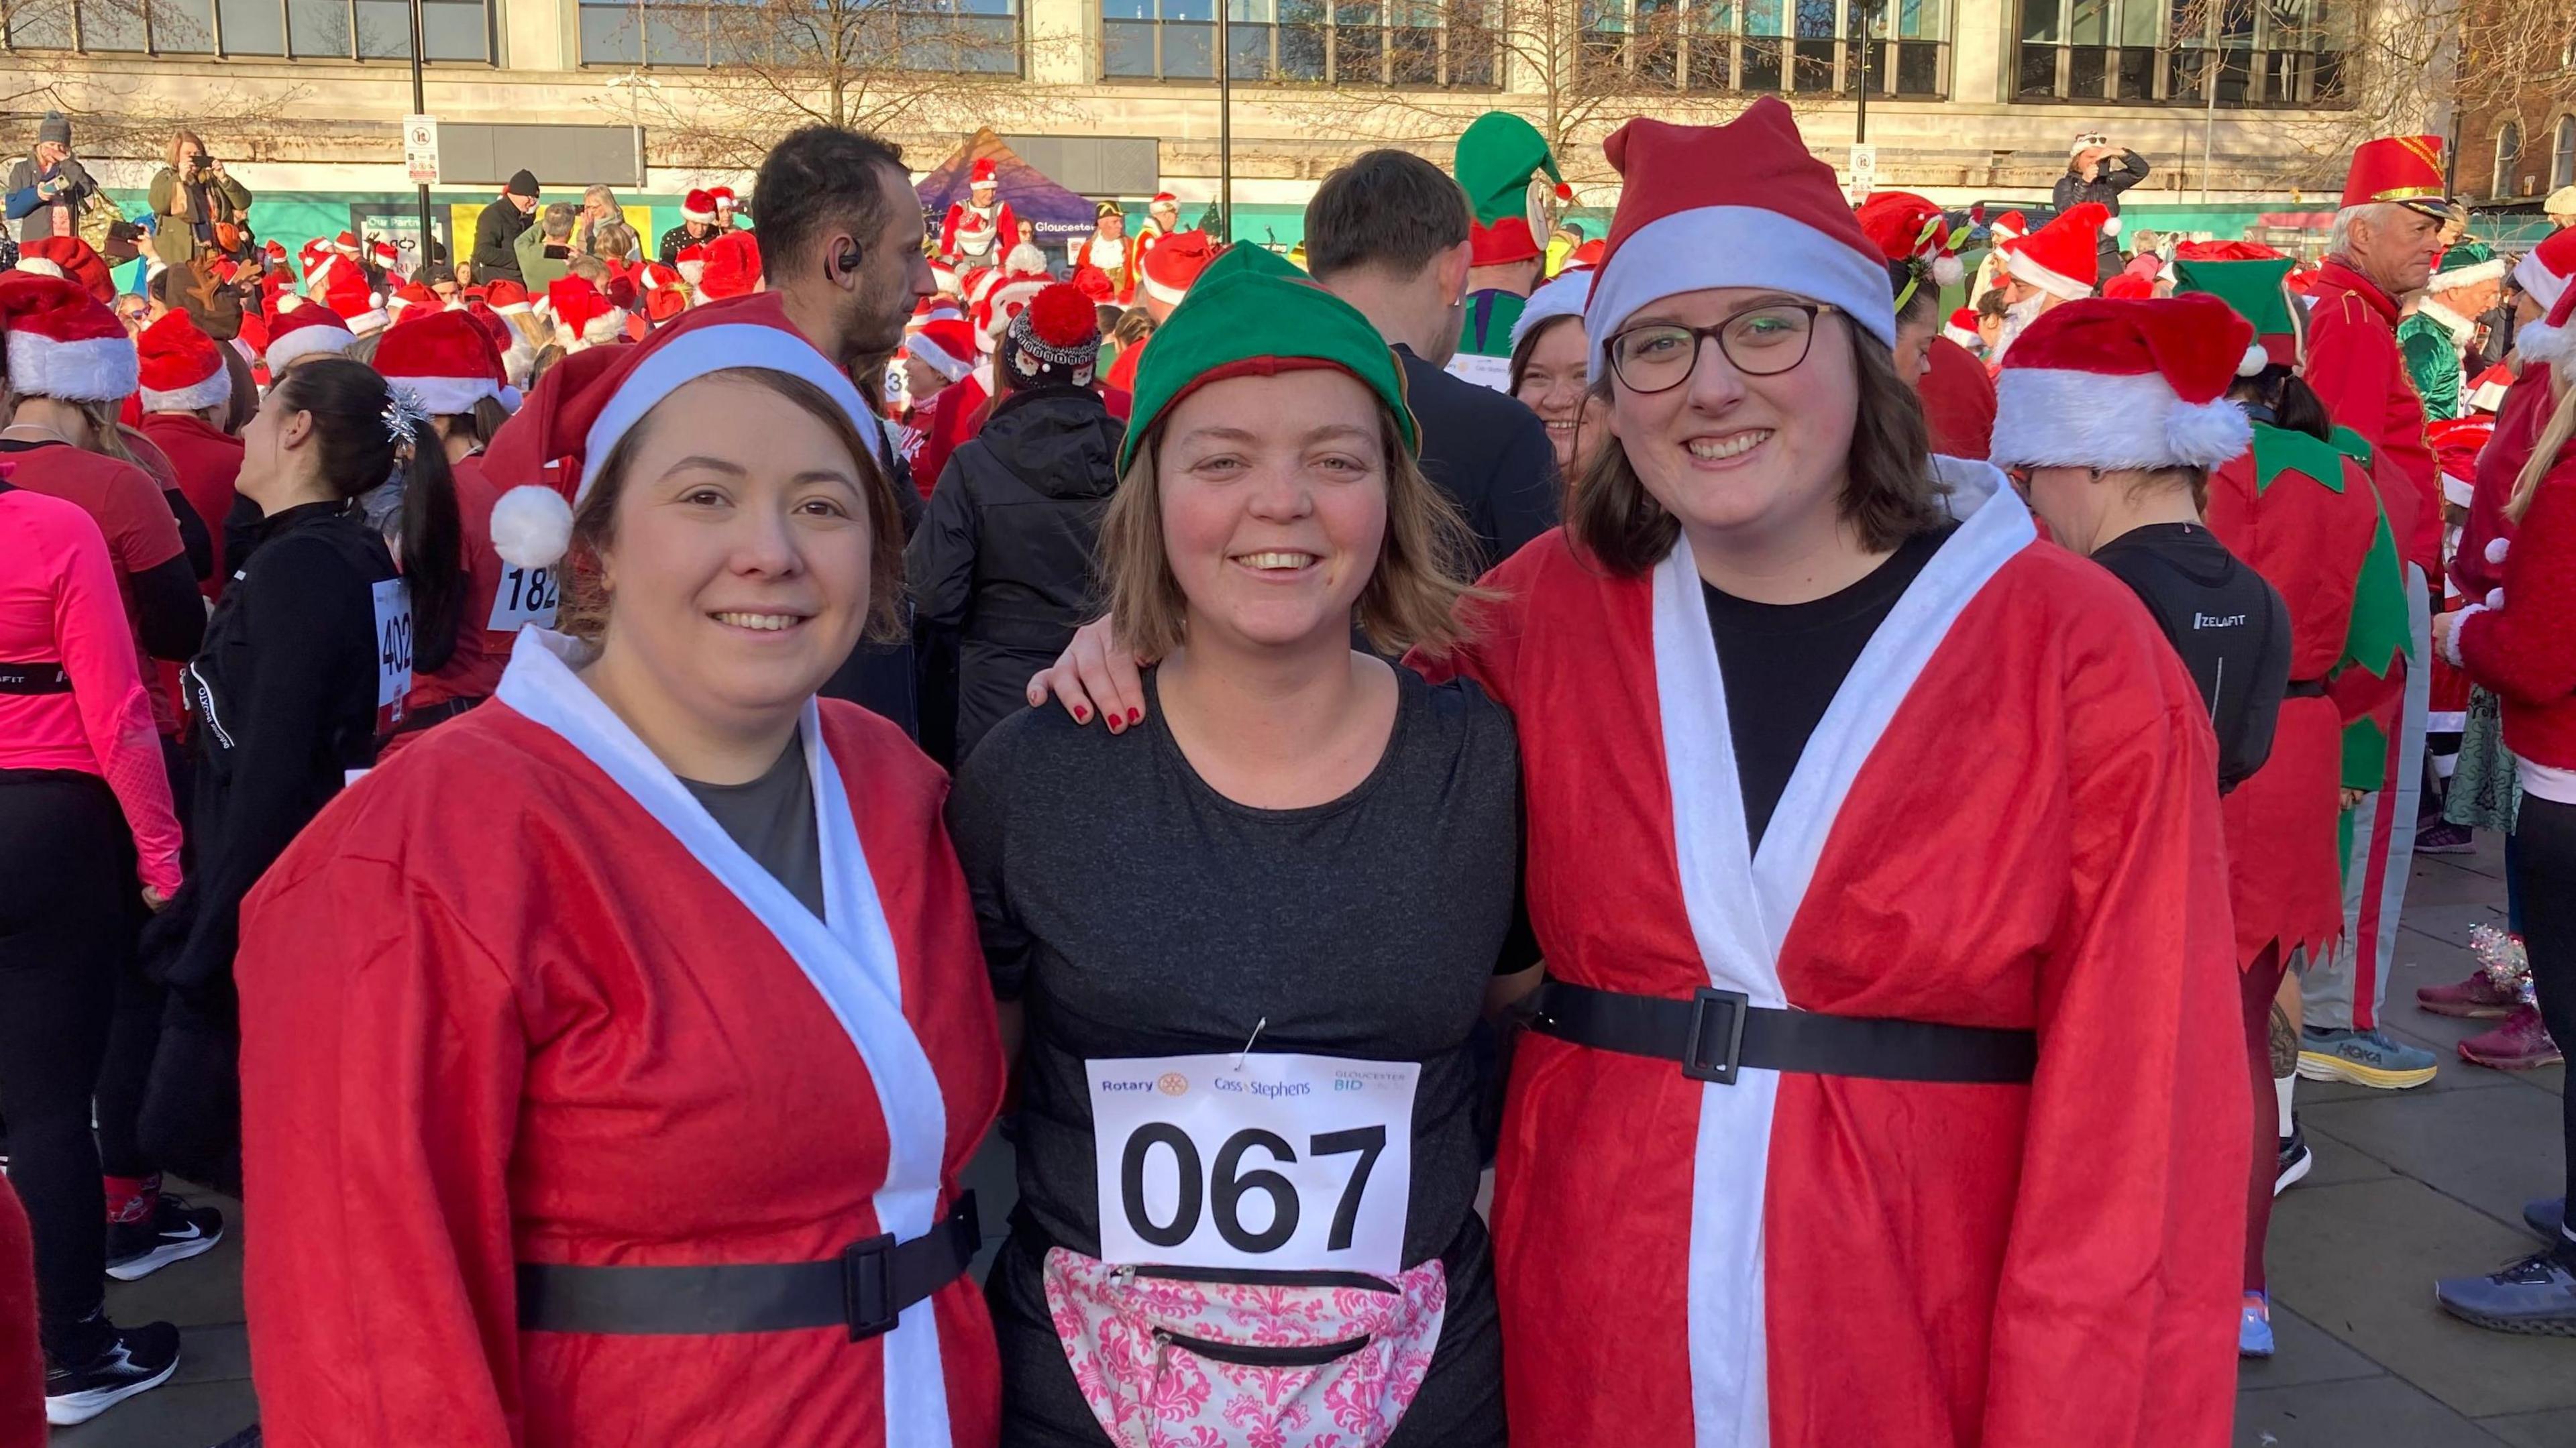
2528,651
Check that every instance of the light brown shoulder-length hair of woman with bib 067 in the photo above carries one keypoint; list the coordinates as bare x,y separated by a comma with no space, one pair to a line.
1410,602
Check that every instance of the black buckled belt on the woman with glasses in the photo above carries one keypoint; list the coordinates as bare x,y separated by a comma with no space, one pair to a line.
1717,1032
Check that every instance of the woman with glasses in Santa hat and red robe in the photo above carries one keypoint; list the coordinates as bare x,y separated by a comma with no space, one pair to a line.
1887,1086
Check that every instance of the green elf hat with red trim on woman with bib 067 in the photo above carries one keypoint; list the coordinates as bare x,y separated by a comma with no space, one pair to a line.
1256,316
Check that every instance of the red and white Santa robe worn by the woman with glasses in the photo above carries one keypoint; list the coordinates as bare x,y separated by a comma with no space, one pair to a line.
2003,821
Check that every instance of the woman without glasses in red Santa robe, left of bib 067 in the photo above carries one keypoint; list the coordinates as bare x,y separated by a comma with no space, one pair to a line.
648,993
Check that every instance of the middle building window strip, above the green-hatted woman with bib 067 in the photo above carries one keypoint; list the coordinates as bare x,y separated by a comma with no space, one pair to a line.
1343,43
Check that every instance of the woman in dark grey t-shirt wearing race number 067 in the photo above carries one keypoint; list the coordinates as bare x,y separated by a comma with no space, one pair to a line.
1248,942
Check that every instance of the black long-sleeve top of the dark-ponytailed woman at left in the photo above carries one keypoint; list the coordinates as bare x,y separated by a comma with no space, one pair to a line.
285,700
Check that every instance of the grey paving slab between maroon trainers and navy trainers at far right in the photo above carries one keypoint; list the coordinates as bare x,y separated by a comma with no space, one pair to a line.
2487,1148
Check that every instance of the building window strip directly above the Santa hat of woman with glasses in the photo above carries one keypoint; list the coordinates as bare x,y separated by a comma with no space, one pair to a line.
1815,48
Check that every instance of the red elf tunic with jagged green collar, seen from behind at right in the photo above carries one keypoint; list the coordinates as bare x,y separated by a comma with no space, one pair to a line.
2307,537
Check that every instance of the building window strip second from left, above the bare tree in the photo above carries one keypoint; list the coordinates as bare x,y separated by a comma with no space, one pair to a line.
957,37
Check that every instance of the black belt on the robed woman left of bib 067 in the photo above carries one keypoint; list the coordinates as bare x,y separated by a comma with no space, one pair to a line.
867,1290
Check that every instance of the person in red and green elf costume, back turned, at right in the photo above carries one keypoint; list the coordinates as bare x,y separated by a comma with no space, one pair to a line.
2307,519
